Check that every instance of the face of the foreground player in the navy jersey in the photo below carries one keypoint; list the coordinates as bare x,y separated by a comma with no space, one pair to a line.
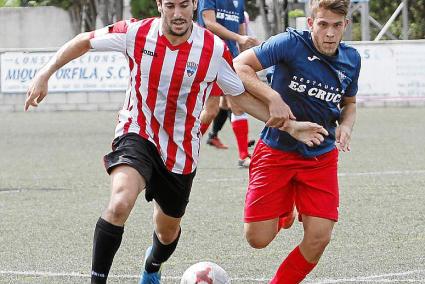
327,29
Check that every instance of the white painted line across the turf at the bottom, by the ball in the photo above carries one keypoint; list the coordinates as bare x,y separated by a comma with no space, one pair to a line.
380,278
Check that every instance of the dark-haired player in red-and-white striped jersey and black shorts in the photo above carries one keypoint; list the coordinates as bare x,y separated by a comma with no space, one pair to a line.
173,65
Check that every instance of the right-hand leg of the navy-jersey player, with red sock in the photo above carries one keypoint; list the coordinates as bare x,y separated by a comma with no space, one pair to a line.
302,260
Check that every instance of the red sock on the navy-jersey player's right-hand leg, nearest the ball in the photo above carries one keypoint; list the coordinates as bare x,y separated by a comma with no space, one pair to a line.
293,269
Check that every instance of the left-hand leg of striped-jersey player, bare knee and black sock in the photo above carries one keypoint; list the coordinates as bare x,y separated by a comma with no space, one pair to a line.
126,184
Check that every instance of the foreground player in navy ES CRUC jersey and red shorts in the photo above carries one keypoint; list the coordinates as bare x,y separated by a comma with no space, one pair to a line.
316,76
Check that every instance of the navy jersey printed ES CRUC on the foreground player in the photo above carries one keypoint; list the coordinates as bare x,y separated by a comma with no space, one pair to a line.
312,84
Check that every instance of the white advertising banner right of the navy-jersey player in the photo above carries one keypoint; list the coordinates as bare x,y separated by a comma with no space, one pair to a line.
392,70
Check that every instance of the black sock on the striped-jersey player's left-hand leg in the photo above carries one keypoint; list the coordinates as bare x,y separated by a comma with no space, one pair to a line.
106,241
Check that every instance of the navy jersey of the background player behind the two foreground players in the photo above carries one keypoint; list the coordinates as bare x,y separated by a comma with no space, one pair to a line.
228,13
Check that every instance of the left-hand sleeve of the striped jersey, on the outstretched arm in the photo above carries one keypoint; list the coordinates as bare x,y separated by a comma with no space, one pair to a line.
110,38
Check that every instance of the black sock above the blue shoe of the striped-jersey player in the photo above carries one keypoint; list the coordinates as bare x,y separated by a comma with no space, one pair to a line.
160,253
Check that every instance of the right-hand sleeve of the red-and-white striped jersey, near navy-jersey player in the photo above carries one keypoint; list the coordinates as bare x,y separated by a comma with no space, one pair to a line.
227,79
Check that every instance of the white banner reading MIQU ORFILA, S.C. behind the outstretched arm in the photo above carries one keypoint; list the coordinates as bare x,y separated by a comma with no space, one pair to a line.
94,71
